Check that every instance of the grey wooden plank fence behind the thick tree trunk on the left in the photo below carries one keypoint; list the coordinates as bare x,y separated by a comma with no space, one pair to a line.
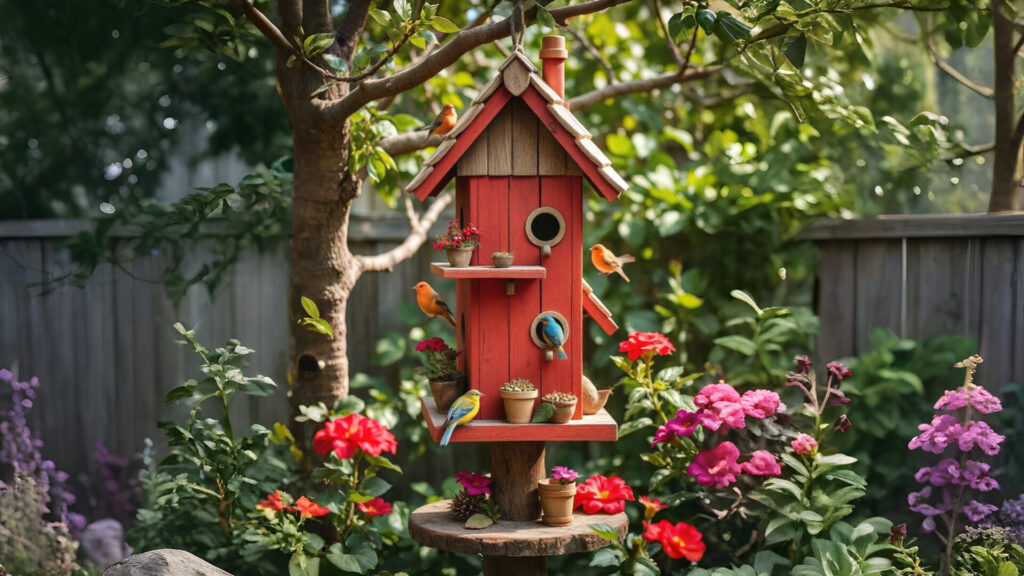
106,354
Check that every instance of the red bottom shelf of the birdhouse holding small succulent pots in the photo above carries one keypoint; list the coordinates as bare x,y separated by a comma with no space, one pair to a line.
598,428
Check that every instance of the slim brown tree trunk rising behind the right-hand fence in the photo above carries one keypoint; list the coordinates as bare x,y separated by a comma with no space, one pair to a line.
1007,191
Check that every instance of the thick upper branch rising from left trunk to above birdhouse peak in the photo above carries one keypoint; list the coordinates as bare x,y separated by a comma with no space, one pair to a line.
447,56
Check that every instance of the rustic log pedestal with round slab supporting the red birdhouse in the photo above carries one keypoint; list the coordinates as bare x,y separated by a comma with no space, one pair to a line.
519,544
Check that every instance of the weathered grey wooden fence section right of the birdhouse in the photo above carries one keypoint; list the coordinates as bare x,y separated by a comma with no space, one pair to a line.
925,276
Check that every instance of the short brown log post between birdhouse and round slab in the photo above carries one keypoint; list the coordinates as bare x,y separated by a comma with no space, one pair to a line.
517,468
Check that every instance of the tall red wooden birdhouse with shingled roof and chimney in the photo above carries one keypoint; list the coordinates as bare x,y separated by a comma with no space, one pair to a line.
520,158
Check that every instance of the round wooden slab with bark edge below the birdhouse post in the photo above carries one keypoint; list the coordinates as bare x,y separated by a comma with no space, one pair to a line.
434,526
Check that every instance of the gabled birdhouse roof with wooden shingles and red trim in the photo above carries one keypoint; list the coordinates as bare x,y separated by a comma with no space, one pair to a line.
519,77
